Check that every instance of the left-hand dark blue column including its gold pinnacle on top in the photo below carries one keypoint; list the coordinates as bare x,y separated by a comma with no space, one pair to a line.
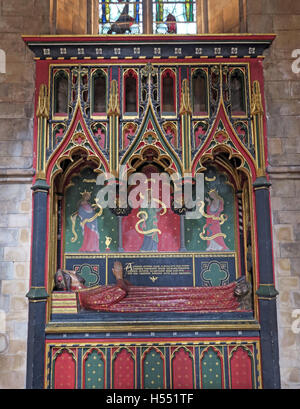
37,295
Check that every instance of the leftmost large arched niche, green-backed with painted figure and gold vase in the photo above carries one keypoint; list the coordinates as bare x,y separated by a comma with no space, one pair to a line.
78,225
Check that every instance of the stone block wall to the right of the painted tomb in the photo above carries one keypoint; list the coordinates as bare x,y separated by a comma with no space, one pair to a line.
282,90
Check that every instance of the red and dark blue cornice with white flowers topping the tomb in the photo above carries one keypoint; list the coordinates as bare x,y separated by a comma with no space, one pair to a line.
117,47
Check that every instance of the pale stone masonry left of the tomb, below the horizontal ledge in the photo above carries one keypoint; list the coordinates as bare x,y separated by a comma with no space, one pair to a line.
15,210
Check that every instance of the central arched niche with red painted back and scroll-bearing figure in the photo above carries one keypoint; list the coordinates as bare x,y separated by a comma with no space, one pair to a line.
149,228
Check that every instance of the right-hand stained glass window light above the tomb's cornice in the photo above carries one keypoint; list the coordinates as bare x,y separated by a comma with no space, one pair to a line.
174,17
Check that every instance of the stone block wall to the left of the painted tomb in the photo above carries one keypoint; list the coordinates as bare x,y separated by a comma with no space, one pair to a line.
19,17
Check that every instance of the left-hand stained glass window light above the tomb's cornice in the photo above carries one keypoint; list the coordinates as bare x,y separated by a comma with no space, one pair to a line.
120,17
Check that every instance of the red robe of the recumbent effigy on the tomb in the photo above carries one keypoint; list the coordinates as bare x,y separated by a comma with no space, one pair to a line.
130,299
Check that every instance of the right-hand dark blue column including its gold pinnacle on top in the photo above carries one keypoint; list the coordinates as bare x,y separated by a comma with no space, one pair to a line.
266,291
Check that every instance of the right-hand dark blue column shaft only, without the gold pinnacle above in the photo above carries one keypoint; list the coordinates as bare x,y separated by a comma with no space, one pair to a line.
266,291
